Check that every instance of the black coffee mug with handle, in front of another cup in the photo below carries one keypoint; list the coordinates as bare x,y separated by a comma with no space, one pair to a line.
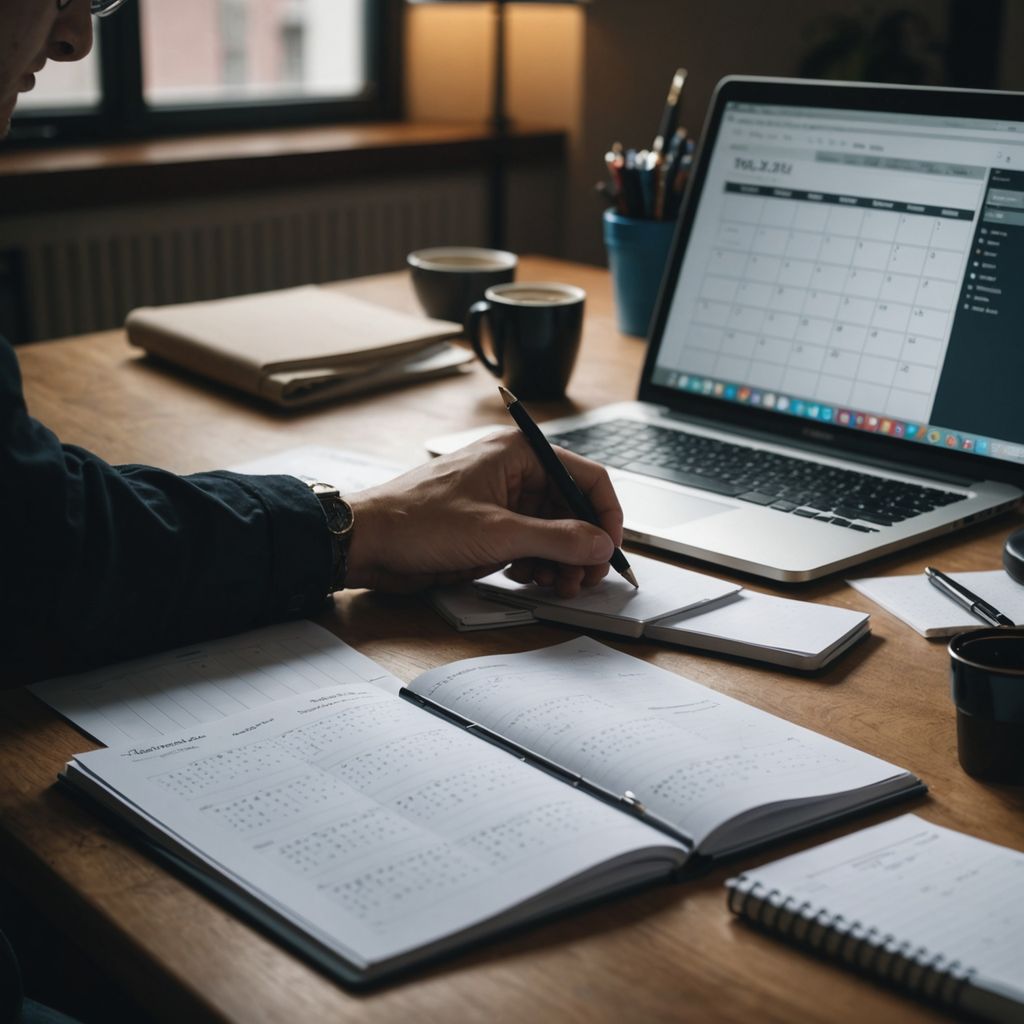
535,332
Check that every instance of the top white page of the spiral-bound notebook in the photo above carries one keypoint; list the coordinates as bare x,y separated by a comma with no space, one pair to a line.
938,889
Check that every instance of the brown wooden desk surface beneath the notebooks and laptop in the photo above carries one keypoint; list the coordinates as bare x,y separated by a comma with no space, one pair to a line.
672,953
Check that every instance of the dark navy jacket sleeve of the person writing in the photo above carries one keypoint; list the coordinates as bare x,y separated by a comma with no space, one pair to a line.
101,563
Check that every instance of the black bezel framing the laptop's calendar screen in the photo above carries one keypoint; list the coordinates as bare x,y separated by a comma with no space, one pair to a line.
843,96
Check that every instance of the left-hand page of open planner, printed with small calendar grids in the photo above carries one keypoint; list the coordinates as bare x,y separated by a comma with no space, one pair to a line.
373,824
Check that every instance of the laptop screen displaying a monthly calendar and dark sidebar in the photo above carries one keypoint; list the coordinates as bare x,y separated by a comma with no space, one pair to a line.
860,269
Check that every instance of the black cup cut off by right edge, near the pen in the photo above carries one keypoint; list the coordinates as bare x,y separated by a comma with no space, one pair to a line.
988,668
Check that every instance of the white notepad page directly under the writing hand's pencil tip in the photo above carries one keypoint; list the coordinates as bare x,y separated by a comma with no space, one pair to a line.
665,589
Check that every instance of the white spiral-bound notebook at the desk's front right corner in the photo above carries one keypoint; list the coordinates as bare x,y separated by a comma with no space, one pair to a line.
928,910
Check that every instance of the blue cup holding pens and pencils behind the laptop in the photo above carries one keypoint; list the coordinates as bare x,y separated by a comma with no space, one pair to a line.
638,251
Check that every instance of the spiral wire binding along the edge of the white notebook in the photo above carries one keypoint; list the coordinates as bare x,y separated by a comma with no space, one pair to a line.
866,950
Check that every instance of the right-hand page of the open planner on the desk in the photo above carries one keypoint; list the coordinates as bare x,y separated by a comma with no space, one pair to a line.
694,757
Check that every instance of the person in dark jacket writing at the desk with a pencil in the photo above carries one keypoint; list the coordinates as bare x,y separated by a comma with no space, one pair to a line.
100,564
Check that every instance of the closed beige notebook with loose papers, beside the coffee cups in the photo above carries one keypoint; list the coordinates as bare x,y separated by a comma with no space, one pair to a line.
298,346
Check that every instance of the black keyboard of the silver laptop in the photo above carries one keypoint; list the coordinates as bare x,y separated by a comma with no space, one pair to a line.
841,497
